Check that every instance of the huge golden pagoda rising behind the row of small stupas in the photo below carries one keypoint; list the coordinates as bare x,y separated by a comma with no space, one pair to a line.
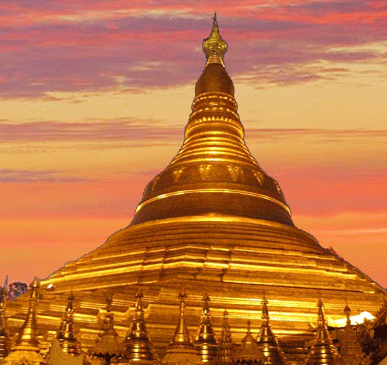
213,222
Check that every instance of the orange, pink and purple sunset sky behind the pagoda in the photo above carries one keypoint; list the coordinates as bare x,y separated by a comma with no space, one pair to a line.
95,95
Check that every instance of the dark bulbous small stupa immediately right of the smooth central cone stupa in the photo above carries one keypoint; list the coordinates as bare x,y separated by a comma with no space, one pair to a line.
206,339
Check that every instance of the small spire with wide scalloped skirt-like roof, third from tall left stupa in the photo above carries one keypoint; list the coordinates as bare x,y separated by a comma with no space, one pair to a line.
109,346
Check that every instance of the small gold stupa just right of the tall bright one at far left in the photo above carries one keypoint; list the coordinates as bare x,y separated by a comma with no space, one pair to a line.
66,336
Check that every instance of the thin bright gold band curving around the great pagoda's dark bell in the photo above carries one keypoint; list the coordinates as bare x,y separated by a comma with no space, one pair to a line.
204,191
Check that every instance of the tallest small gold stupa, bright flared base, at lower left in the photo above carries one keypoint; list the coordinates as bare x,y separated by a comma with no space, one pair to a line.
26,349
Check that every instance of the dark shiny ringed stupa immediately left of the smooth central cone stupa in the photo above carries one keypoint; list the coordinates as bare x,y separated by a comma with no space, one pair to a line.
137,343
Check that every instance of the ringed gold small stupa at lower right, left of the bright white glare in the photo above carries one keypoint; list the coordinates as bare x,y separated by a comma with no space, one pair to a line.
322,351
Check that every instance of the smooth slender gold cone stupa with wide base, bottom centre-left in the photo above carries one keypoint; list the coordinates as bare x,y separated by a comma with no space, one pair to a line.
181,349
